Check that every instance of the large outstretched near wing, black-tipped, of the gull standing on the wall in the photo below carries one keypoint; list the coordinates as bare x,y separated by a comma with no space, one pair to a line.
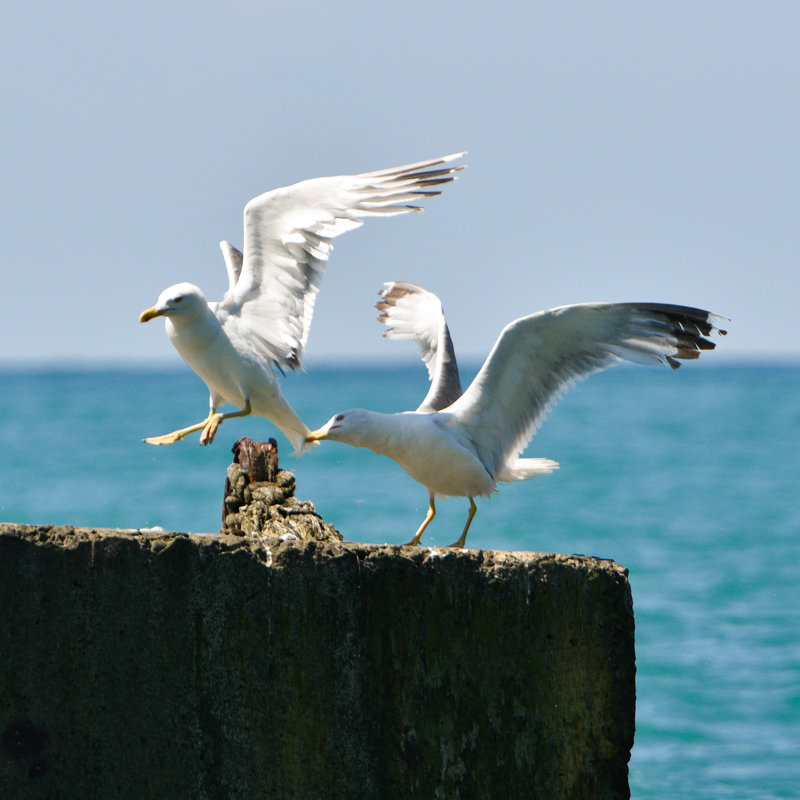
538,357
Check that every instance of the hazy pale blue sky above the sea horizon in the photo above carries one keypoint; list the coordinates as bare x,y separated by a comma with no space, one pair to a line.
617,151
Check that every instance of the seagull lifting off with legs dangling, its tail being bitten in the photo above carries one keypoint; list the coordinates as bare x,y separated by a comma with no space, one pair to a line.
262,322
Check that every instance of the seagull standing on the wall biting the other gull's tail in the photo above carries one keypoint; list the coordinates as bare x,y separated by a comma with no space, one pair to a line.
468,446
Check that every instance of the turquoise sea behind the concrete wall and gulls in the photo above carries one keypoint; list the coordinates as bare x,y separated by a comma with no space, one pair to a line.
690,479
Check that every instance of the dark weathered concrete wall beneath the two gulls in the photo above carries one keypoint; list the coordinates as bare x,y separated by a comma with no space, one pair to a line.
169,666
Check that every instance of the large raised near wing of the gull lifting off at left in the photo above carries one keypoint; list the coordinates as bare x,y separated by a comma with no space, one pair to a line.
287,240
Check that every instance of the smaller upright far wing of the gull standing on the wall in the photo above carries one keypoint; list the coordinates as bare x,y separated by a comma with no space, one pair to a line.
415,314
